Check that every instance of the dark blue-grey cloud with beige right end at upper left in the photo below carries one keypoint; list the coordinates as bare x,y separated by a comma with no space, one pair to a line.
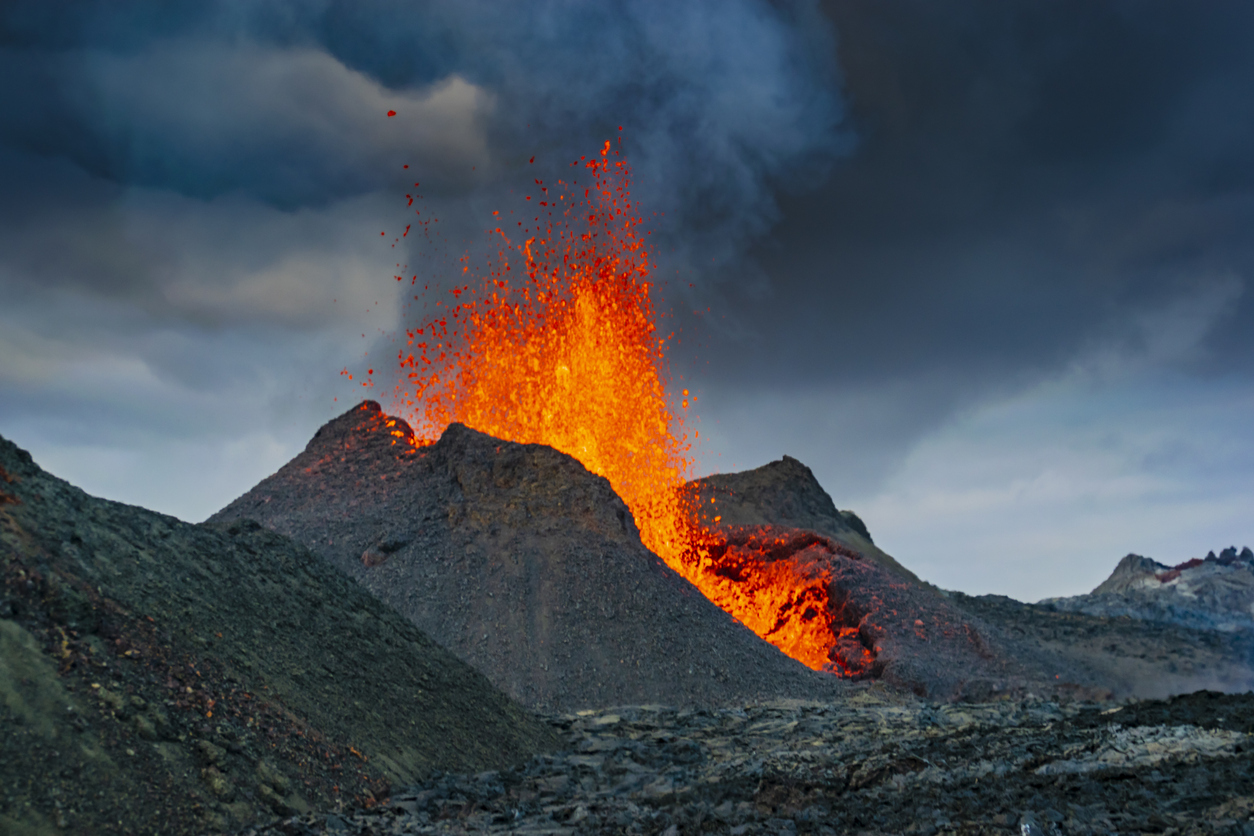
292,127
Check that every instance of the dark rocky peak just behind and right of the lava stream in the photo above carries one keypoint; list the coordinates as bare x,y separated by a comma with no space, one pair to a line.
787,494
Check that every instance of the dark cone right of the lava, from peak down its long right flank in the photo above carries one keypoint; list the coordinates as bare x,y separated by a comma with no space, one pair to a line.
914,635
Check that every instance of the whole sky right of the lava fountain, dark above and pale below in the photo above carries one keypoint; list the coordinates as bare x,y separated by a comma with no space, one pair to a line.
1010,329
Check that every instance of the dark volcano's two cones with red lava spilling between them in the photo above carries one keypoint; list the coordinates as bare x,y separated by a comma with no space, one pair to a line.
531,568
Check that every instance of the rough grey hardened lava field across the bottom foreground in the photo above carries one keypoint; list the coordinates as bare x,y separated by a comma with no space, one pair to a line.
873,764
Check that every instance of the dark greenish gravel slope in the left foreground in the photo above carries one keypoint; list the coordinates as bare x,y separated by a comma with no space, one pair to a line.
159,677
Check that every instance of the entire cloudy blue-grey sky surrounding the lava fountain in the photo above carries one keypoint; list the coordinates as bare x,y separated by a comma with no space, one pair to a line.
984,265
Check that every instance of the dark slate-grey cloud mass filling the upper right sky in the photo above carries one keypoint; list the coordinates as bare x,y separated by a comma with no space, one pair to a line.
1029,180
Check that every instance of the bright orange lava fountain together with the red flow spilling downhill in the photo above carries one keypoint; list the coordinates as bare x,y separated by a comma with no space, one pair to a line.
559,344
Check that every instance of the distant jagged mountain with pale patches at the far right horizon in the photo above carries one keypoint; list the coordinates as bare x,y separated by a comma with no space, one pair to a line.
1213,593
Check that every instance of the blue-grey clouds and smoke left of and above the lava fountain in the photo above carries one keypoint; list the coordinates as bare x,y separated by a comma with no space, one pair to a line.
195,191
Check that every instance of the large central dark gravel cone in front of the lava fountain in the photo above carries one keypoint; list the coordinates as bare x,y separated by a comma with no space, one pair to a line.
522,563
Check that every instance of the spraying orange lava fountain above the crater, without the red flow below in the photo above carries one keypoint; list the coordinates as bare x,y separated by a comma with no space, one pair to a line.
559,345
